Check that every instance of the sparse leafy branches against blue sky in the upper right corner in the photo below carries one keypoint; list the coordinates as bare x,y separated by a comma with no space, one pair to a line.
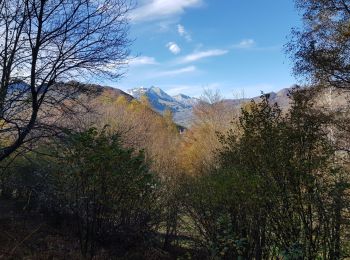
321,49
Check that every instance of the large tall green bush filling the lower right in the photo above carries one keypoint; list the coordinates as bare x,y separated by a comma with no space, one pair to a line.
277,191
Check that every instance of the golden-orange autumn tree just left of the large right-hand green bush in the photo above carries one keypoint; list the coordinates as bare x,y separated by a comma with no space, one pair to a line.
211,115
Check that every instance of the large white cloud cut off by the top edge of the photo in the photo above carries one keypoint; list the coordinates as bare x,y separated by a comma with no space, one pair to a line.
159,9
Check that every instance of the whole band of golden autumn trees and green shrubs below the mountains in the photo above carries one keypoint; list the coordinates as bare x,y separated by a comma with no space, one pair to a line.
275,185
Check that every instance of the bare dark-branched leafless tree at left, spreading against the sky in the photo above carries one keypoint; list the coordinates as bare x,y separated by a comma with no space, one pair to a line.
45,42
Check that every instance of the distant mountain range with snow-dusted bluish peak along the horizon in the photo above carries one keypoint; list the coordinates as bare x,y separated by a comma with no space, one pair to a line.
182,105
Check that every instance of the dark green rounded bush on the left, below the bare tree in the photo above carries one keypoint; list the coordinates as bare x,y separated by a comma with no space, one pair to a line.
105,192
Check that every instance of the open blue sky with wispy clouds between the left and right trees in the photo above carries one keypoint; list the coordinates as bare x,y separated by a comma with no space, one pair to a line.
234,46
